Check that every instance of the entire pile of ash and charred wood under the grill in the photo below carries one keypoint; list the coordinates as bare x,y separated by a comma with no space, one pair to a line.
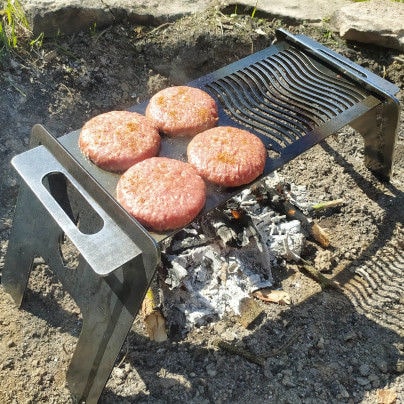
211,267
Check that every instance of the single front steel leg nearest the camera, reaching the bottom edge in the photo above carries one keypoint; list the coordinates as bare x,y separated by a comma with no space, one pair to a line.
109,306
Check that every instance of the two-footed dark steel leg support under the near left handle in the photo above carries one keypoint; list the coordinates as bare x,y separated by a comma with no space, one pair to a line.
108,304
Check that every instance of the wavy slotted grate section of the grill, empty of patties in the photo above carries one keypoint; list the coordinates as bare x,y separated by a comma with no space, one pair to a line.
285,96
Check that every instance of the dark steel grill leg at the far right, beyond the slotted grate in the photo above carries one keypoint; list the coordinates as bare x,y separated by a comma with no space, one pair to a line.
379,129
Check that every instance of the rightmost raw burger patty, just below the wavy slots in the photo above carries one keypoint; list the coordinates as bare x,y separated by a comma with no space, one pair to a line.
227,156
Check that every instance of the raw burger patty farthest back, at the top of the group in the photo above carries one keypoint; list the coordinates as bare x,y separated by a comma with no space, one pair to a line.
182,111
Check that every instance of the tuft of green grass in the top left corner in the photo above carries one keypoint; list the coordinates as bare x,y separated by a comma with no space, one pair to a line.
13,24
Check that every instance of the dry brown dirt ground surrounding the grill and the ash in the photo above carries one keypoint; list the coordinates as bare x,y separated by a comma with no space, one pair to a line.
327,346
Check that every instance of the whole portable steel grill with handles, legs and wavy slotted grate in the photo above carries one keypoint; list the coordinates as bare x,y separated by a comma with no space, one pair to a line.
292,95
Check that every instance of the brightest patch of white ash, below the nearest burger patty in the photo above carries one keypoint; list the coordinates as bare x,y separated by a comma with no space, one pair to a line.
213,285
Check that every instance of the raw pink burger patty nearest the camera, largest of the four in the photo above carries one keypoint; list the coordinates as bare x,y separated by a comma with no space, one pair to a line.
162,193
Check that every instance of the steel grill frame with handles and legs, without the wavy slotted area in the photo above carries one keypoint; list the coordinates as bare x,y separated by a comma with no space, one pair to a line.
109,292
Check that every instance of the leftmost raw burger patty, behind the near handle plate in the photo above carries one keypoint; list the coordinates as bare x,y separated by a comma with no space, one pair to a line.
116,140
